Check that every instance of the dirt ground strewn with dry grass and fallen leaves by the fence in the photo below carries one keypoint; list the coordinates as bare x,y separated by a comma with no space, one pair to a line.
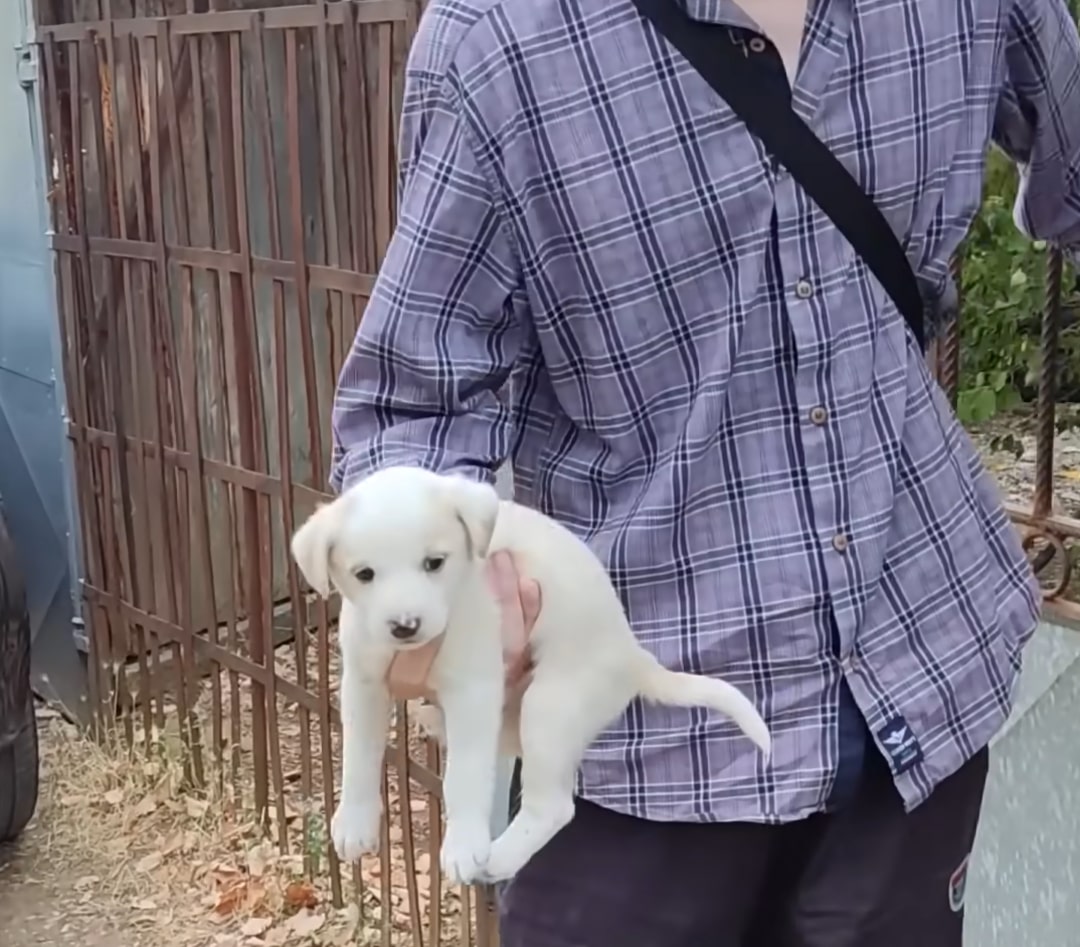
124,854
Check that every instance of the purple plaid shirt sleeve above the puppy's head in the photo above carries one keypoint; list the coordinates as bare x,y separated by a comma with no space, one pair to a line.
422,385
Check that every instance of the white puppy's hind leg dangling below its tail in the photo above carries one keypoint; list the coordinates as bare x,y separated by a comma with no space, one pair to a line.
559,722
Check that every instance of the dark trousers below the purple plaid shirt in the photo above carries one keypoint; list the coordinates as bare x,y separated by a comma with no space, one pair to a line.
868,875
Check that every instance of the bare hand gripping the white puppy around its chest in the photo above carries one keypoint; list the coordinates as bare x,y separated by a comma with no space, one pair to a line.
520,602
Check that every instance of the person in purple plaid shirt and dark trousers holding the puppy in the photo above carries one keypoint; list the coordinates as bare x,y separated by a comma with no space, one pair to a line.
602,277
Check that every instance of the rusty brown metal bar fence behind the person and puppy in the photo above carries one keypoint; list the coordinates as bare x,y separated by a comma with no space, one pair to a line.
223,193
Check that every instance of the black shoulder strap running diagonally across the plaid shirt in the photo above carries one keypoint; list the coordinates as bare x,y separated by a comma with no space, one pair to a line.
739,83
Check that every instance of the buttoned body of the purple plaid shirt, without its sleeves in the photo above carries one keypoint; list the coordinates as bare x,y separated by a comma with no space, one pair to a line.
721,399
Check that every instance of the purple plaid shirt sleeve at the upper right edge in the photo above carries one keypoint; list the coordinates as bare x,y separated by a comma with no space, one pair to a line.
1038,119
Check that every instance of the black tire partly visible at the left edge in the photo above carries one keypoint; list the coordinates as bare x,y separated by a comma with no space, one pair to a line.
19,725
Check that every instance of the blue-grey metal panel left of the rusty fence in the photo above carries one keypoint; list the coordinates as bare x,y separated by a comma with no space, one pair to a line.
36,468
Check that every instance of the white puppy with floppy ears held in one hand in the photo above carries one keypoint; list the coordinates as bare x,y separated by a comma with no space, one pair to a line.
407,548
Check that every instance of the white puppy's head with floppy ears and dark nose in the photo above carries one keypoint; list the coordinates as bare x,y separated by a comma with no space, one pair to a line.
402,546
